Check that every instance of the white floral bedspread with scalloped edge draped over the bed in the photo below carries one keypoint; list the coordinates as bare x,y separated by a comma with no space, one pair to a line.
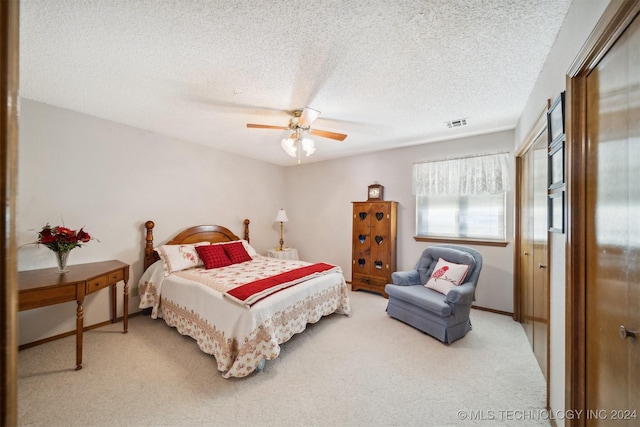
240,337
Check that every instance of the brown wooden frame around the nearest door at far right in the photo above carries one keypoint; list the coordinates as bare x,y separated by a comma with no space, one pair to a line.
615,19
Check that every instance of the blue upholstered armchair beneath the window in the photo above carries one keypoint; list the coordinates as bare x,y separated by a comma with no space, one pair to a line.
445,317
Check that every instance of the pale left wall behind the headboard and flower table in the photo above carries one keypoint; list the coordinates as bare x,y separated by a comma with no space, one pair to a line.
111,178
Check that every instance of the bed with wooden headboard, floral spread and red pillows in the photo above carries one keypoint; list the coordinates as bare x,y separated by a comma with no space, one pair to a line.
240,312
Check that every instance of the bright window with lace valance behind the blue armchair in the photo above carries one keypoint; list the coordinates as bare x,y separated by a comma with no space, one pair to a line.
462,198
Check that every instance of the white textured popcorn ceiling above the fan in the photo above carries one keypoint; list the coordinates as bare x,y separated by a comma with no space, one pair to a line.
388,73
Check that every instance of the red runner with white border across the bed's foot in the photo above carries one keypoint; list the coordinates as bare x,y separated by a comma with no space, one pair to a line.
250,293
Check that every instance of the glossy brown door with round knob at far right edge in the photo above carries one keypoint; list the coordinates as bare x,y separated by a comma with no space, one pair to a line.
612,374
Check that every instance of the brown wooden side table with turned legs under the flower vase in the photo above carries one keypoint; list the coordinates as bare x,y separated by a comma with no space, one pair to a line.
40,288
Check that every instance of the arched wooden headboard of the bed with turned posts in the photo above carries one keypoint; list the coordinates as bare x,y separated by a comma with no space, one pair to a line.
198,233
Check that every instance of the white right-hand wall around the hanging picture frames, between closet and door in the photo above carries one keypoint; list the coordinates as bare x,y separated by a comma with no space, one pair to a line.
580,21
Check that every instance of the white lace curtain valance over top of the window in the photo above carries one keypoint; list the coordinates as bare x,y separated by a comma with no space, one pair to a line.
488,174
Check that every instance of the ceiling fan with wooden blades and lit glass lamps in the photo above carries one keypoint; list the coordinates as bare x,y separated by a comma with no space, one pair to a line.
299,124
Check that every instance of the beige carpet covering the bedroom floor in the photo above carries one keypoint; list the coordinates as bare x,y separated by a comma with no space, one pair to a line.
362,370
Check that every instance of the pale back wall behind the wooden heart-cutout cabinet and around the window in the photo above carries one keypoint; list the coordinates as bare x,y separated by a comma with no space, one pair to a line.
319,197
